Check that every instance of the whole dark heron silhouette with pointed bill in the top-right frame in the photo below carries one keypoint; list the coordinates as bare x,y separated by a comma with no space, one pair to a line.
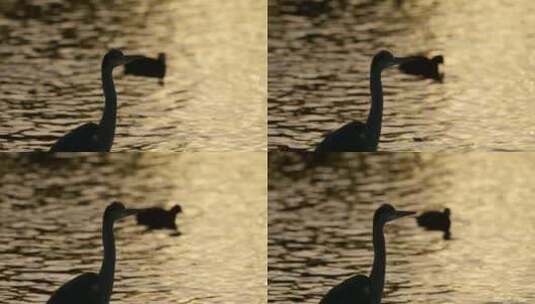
364,137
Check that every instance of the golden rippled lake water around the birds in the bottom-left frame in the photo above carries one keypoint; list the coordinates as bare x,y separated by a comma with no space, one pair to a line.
51,214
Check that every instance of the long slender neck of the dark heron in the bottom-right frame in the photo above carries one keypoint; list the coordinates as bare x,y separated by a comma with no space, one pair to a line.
377,275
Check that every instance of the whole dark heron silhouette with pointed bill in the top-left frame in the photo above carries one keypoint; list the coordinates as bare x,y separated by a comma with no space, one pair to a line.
91,137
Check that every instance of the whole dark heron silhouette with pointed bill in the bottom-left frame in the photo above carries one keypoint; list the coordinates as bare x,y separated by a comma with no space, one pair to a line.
95,288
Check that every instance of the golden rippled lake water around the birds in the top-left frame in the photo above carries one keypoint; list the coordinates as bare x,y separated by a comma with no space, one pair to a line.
214,93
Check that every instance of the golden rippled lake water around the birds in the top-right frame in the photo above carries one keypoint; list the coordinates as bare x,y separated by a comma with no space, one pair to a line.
320,53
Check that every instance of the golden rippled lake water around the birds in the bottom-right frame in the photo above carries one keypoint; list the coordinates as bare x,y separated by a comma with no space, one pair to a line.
320,226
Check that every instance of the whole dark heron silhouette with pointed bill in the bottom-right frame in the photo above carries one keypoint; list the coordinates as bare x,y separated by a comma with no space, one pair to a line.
361,289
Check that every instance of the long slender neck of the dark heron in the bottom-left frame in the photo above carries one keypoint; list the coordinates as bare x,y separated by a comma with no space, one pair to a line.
107,270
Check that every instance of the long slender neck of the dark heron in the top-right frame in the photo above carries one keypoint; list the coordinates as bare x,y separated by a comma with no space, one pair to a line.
375,116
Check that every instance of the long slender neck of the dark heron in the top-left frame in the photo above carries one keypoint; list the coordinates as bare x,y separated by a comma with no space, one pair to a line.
109,116
